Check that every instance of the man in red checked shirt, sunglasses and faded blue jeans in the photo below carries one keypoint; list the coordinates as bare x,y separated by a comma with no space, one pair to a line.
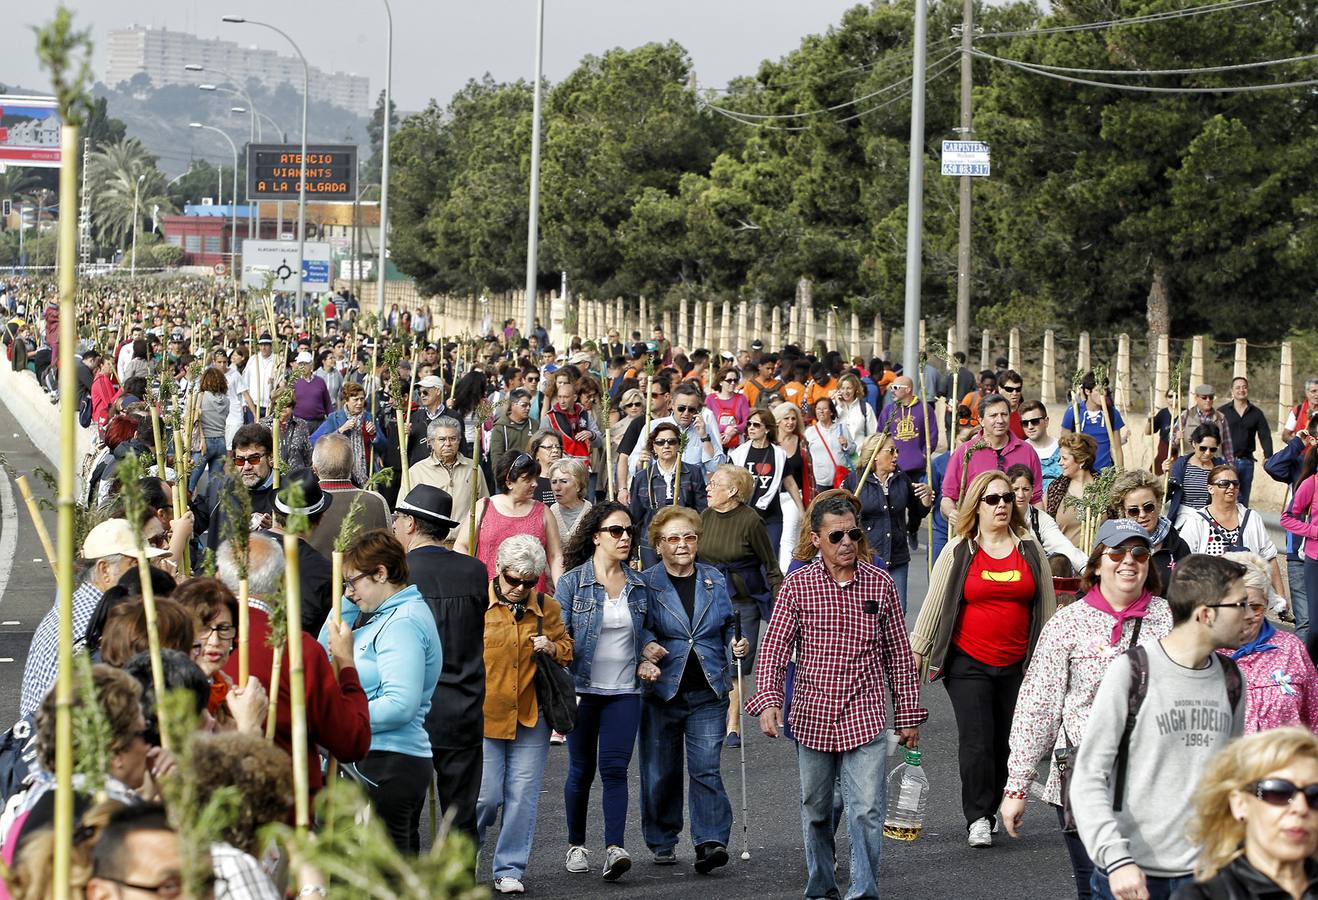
843,619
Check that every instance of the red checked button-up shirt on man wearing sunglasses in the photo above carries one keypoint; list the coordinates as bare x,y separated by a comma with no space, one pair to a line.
848,660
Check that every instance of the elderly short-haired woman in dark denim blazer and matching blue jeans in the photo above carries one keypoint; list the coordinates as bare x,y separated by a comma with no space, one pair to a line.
687,632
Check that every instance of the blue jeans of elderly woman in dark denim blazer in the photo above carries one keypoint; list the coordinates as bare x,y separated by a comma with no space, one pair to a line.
693,720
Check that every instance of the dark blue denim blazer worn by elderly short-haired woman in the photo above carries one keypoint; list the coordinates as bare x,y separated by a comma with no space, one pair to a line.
708,632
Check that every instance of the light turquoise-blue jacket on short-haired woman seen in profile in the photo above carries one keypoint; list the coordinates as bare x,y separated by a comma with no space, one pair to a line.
399,658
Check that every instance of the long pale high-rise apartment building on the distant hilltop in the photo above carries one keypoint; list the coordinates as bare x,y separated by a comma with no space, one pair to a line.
163,55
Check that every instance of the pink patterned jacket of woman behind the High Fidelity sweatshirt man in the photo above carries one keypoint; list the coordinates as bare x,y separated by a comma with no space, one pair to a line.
1283,686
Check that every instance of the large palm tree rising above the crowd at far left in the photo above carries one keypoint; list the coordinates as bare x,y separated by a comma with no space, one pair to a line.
113,176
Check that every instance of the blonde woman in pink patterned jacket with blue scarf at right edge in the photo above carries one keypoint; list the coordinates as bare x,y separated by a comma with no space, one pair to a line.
1278,671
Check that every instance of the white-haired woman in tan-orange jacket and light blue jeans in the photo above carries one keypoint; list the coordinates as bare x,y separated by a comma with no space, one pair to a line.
519,623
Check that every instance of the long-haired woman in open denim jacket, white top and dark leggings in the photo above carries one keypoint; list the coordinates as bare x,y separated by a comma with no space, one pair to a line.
604,607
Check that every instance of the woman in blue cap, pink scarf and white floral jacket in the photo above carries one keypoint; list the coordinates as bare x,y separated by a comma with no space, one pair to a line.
1121,607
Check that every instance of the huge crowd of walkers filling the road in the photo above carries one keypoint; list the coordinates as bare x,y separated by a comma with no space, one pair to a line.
650,528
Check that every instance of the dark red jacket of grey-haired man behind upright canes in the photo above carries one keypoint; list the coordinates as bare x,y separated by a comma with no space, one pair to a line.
338,717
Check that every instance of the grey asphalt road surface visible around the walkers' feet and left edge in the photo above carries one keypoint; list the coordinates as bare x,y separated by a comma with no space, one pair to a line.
938,865
